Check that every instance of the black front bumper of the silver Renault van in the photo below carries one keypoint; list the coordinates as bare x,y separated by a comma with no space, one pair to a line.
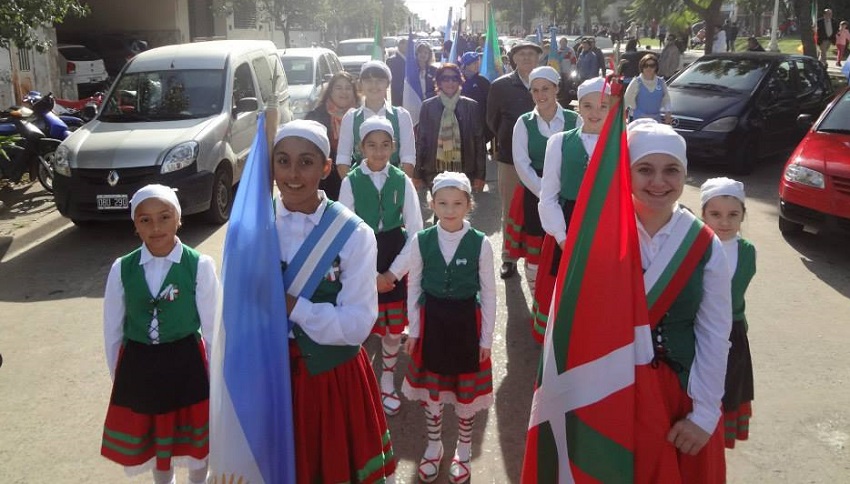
76,196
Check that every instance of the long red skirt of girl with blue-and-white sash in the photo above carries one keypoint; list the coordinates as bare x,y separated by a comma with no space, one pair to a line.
341,434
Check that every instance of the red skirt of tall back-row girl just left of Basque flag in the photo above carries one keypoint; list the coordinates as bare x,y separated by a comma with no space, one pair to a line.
523,231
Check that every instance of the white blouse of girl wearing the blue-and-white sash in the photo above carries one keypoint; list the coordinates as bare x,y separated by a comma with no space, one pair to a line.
350,321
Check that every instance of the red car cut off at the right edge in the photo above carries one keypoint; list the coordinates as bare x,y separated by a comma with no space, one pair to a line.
815,187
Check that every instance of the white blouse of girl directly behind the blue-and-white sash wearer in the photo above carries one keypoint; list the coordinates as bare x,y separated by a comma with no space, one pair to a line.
412,215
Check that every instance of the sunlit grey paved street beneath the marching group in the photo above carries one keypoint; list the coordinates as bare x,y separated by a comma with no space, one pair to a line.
54,385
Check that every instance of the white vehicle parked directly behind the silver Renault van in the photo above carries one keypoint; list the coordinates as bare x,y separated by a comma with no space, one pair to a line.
308,71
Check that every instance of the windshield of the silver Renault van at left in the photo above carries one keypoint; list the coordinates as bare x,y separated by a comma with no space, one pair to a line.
165,96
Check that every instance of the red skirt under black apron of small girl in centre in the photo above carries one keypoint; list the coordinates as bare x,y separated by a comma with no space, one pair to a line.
468,392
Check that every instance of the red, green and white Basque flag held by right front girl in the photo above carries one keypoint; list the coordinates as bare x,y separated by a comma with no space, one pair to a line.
593,389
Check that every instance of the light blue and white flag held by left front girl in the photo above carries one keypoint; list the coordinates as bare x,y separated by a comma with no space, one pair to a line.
251,424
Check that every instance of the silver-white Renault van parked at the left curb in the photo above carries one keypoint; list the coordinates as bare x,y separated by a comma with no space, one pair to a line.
181,115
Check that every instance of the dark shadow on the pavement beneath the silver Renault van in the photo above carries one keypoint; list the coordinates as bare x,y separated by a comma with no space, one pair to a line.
76,261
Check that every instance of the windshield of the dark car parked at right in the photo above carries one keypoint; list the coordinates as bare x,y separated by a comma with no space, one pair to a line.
740,75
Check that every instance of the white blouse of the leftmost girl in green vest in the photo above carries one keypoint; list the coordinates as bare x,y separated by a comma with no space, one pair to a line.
207,298
